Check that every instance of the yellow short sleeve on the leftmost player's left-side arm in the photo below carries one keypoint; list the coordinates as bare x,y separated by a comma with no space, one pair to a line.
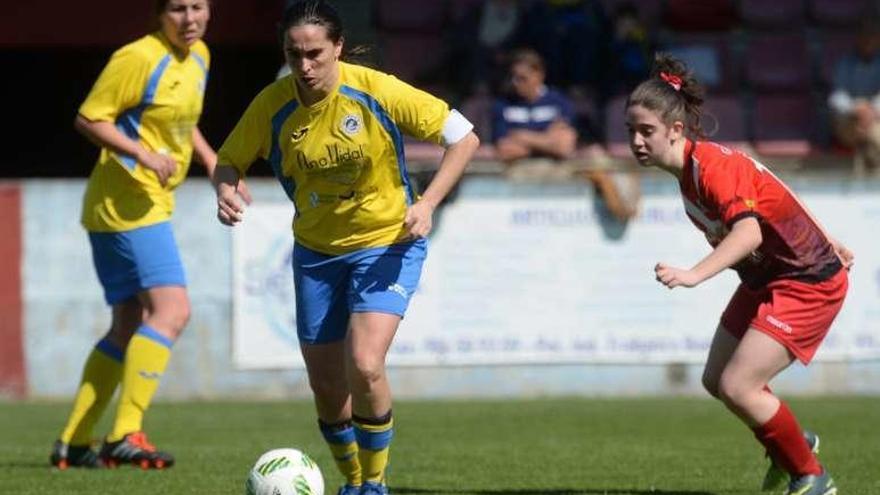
119,87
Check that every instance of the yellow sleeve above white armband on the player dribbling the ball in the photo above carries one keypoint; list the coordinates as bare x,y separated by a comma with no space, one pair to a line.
418,113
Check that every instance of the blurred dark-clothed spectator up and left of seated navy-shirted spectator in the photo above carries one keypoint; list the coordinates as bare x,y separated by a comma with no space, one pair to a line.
477,45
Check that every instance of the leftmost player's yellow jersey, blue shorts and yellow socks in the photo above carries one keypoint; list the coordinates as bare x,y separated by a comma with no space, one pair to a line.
154,97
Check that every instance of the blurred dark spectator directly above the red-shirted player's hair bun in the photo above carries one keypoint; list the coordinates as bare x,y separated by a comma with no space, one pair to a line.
631,50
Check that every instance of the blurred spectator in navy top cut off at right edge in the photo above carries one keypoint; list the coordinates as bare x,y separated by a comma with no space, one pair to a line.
855,99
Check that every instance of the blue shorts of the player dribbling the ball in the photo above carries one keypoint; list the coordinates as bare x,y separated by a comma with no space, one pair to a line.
330,288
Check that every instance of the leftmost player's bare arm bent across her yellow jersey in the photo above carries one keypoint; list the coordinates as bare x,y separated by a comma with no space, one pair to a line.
106,135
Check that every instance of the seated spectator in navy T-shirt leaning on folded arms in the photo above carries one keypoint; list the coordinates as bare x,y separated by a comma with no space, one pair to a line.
534,120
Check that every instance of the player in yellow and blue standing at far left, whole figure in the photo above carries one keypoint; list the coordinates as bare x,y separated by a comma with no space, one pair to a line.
142,112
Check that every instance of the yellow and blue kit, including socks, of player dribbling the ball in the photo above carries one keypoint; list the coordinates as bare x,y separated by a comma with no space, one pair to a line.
341,161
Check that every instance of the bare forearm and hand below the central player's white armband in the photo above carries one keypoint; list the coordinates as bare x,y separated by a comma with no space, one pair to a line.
418,216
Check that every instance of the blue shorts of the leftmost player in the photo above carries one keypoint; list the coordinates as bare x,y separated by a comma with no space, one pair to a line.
130,262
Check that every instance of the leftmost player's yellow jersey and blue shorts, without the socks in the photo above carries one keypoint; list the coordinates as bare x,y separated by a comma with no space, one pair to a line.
154,97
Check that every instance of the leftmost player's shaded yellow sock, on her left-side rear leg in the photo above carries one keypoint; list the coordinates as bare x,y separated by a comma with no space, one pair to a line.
100,377
